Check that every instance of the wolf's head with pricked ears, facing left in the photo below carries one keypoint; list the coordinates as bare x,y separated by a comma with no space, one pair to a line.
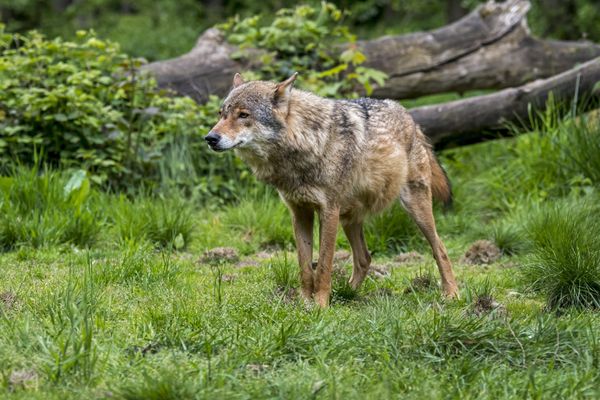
252,115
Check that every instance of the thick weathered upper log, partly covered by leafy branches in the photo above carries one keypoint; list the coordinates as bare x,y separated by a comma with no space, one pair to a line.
490,48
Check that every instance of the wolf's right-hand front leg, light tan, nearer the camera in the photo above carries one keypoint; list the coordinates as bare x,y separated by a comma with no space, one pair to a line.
328,223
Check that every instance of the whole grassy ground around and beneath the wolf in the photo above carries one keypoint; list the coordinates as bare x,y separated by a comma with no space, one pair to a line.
108,297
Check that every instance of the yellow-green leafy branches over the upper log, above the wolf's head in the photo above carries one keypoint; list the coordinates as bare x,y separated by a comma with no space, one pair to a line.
301,40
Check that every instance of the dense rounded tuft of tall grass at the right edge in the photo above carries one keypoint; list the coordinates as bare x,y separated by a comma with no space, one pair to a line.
565,264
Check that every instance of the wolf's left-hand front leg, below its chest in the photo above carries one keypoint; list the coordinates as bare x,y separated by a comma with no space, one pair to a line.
303,219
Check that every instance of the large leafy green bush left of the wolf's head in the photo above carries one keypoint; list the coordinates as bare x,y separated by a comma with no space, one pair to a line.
84,103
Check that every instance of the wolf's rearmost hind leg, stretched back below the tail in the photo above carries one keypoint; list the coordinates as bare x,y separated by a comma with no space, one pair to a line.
416,199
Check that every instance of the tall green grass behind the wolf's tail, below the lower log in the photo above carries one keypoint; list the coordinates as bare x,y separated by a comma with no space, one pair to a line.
556,159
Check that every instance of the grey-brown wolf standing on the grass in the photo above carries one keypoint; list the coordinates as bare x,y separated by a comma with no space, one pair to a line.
340,159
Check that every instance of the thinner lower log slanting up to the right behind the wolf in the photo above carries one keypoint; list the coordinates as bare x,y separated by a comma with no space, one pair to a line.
478,118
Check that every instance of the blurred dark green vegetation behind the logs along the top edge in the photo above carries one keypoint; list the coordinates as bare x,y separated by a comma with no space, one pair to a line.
167,28
